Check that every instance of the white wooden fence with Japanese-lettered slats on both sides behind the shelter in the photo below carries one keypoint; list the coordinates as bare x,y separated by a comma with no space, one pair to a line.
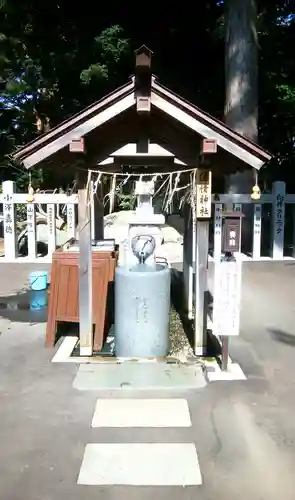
10,199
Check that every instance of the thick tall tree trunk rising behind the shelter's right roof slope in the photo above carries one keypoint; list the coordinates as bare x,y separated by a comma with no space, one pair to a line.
241,79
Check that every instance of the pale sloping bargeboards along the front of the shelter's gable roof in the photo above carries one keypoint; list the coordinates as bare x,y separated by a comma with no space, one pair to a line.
175,107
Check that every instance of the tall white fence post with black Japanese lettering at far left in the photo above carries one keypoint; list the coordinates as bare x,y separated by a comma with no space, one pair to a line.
10,240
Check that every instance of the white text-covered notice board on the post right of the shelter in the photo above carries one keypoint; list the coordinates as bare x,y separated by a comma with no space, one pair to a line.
227,298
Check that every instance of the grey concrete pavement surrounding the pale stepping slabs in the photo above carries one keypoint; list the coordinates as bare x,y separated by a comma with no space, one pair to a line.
243,433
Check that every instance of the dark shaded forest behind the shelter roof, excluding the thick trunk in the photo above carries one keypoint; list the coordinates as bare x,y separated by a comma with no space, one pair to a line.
57,57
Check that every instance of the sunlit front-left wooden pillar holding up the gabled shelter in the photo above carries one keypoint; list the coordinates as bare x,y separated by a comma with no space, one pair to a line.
85,264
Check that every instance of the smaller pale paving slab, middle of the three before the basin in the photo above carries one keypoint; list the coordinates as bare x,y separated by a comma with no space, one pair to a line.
141,413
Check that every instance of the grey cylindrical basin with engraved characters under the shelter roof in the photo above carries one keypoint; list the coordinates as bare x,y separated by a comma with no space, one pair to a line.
142,310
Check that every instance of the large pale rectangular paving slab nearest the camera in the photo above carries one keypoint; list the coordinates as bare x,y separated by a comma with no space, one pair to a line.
140,464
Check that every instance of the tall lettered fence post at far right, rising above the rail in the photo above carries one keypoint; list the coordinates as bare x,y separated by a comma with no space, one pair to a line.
278,219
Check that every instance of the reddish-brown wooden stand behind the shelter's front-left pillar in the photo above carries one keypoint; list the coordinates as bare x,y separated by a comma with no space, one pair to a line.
63,304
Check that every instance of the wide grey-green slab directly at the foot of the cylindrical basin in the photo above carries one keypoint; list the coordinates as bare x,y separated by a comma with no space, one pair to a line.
128,375
